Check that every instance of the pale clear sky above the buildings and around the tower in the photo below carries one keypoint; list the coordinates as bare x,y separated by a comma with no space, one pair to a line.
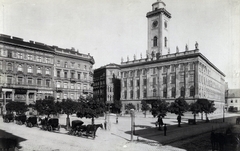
111,29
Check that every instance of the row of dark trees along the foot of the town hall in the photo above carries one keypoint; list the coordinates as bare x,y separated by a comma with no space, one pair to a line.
179,107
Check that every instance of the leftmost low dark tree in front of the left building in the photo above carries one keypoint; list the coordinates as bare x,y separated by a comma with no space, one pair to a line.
18,107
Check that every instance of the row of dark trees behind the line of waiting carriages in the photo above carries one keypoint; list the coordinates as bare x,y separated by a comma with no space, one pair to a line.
84,107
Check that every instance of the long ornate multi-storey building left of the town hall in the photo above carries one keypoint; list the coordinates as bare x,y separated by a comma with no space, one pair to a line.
31,70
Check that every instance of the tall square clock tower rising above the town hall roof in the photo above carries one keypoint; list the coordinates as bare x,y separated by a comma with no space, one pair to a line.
158,29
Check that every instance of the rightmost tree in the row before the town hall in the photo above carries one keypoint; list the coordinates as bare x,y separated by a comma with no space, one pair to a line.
206,107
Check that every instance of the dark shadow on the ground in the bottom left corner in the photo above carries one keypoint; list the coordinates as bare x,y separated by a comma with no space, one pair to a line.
8,141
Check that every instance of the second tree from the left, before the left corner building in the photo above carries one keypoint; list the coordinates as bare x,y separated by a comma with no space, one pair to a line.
46,106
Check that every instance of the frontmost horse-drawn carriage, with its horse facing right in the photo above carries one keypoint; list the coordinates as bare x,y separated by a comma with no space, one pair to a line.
78,129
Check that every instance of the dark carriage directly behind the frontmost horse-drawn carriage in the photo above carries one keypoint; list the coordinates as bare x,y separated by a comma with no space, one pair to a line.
50,124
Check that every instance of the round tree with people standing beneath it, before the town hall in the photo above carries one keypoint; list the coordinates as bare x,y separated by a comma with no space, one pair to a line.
159,107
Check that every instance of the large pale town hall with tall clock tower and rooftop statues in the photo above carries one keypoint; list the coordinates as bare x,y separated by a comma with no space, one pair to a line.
187,74
